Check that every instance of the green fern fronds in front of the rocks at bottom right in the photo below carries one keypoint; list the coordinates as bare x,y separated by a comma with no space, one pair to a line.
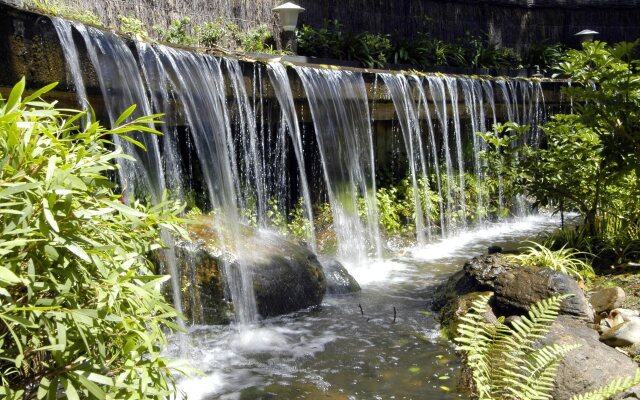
505,363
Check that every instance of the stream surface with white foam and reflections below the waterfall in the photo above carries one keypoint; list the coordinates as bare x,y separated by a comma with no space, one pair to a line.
337,352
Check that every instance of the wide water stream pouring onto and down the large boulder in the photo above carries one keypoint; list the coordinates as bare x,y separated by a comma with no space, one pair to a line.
197,81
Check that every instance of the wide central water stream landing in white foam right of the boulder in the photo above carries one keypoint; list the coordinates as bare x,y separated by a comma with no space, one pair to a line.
340,111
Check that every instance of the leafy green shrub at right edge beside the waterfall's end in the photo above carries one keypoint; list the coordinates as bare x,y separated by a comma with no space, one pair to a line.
588,161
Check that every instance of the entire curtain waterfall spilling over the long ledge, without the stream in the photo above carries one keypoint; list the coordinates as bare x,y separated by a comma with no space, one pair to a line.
246,135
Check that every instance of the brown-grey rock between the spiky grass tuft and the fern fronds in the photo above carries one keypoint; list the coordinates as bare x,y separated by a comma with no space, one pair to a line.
518,289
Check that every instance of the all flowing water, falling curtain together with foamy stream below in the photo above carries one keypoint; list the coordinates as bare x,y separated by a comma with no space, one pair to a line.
247,155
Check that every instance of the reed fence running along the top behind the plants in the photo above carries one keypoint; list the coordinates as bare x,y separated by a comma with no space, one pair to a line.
513,23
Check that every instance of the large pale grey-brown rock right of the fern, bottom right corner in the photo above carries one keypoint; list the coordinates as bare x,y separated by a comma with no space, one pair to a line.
589,367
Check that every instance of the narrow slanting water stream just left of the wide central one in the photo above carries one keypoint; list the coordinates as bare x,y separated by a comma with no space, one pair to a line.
282,88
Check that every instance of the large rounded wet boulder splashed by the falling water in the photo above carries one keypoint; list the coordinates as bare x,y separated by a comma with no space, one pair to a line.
286,275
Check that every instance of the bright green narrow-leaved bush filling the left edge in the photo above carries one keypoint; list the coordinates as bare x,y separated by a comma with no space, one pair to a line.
81,312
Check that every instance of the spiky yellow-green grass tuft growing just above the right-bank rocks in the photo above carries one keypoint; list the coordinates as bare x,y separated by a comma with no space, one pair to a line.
565,260
